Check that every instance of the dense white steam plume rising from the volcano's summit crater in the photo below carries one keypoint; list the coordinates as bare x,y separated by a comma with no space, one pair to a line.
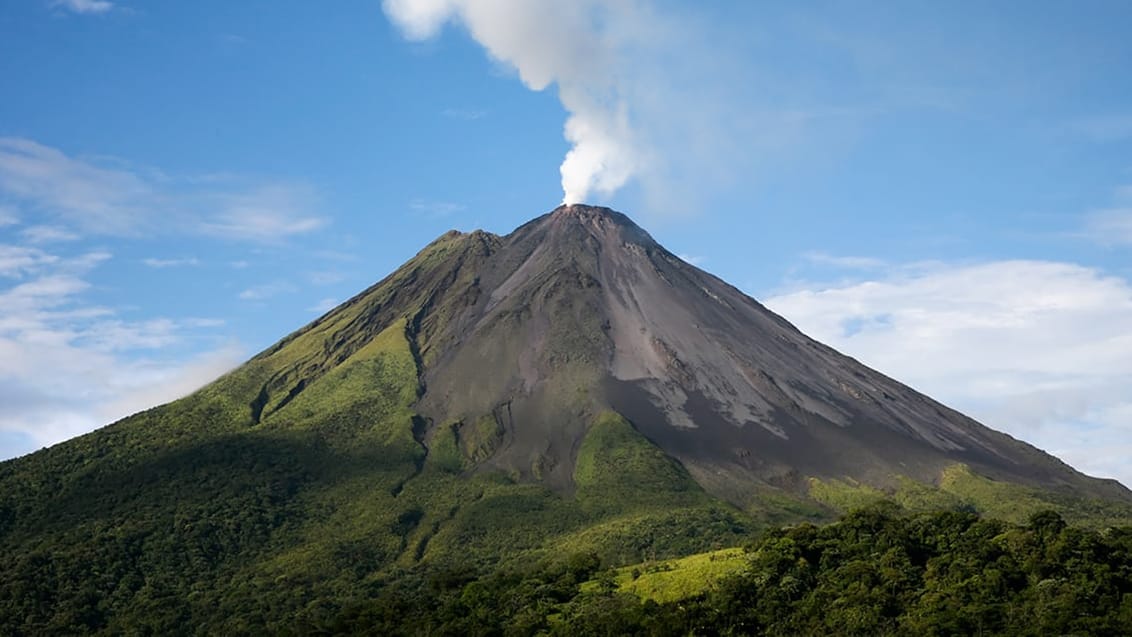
588,49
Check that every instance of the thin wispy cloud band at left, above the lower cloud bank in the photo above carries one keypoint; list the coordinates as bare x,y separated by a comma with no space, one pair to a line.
104,197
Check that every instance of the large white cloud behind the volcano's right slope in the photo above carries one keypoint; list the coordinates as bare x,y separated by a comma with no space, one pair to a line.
1042,350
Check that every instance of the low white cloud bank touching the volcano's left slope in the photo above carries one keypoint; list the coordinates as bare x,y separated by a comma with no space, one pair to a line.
68,367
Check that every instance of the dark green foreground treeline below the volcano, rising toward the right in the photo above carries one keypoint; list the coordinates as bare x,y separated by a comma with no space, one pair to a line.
876,573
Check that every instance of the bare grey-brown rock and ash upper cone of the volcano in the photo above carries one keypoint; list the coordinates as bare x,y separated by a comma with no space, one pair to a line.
581,312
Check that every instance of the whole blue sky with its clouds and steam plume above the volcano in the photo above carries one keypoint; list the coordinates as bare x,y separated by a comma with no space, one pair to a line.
942,191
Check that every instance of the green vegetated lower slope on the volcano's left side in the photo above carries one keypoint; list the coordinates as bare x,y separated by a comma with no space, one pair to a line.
205,517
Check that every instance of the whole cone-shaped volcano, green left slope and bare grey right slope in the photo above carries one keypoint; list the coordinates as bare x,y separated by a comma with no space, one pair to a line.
571,386
